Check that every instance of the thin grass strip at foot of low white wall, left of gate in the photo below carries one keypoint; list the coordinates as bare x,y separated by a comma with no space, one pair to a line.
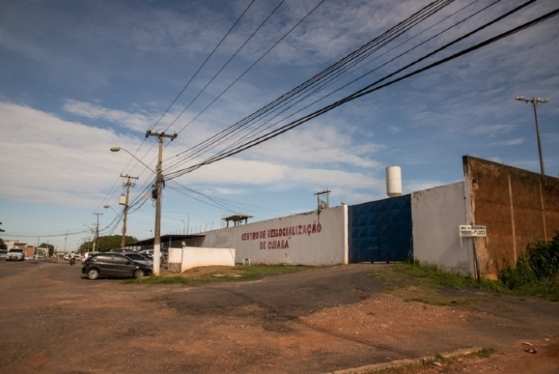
201,276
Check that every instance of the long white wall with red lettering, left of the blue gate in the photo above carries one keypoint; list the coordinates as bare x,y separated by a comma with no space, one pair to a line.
302,239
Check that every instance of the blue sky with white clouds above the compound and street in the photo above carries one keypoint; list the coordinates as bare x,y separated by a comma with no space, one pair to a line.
80,77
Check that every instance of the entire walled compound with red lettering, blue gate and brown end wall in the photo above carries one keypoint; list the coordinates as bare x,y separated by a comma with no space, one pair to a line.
477,226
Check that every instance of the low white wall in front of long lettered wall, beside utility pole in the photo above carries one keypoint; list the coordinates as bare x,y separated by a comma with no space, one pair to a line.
181,259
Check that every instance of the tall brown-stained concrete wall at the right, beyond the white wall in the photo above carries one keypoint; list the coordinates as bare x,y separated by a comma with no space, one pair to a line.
518,207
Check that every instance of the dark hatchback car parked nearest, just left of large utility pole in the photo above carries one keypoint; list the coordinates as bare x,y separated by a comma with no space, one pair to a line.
116,265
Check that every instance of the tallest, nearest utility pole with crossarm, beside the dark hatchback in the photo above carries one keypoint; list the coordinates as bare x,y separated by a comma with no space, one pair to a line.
156,194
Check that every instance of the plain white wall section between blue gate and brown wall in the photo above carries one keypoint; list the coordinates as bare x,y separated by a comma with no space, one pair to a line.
436,214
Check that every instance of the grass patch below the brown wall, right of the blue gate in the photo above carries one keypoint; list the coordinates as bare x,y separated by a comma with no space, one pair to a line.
440,287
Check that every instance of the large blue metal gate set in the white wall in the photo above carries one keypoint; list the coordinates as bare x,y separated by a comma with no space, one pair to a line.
380,230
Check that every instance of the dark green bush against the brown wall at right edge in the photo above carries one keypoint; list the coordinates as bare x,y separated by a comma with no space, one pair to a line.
536,272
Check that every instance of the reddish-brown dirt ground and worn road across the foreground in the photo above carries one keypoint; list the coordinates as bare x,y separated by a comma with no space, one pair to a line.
320,320
